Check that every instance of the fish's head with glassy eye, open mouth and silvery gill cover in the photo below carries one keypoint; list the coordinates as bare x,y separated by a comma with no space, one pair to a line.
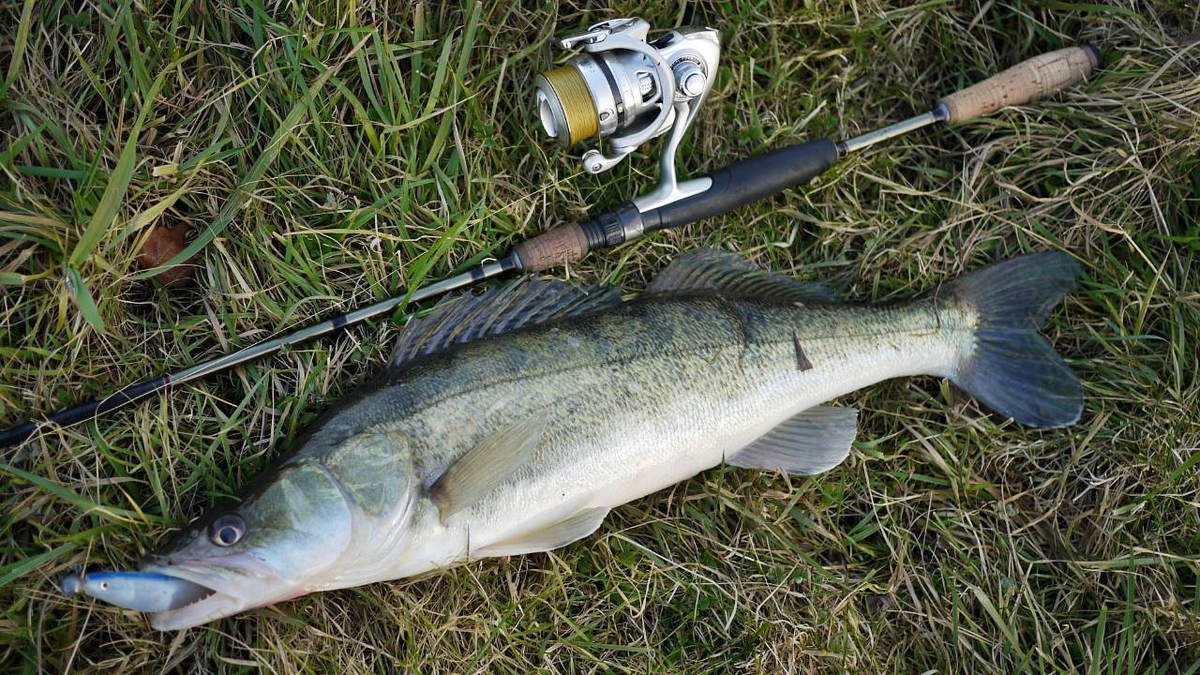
275,545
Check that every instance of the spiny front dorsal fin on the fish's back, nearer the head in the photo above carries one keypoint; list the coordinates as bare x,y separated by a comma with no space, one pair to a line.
500,310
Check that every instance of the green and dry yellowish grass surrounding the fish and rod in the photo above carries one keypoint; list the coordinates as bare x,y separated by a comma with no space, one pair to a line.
326,156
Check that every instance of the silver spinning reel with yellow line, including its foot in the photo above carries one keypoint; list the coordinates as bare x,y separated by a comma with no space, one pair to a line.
628,91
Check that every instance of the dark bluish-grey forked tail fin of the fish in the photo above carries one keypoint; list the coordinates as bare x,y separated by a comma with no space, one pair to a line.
1012,369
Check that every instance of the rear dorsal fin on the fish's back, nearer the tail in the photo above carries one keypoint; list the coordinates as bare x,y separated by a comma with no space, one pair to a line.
730,274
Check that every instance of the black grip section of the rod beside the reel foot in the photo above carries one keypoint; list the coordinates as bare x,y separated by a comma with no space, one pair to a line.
746,182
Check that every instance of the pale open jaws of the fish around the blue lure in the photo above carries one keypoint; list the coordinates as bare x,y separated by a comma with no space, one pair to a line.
229,584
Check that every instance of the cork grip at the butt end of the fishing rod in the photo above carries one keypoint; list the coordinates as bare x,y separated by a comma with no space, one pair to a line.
1036,79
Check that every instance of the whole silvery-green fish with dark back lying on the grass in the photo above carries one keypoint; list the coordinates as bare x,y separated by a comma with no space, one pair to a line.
513,422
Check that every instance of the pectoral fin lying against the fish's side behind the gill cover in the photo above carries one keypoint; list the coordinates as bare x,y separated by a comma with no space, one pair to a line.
485,467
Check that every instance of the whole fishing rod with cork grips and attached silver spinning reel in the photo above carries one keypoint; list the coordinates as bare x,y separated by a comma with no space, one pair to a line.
627,89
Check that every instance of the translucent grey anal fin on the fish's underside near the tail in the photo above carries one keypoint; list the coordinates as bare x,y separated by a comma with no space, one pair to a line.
811,443
